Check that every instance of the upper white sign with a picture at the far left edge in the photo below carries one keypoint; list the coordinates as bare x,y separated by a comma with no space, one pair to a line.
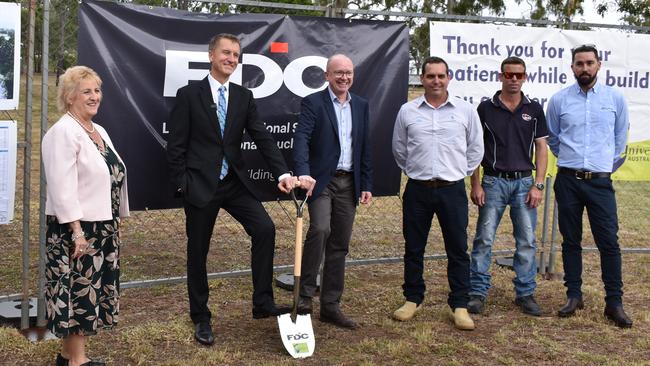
9,55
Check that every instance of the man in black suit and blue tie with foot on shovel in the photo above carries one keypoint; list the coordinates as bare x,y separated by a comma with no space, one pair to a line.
207,170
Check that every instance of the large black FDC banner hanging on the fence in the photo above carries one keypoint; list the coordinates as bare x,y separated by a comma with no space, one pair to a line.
144,54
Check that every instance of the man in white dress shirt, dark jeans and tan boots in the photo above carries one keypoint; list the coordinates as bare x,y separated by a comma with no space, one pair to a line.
437,142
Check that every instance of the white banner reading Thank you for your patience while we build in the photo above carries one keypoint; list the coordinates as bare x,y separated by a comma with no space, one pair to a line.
474,53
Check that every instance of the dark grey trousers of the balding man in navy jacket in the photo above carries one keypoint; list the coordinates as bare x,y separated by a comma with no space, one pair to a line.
331,216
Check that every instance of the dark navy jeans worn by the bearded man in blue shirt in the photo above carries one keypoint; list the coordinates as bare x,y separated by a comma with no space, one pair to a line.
597,195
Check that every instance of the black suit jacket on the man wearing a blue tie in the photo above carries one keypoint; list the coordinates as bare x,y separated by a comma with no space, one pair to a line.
195,147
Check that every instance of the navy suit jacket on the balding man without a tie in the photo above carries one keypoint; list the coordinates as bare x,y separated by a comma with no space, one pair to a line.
316,145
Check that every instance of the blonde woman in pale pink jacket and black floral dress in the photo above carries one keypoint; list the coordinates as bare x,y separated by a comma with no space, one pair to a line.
86,196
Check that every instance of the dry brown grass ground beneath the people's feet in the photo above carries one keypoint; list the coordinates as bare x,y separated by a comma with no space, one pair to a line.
155,329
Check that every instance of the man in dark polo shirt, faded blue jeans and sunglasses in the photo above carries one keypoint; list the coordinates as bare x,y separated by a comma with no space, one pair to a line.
513,128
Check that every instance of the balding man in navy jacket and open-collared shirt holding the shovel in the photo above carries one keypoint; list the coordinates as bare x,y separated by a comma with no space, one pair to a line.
332,160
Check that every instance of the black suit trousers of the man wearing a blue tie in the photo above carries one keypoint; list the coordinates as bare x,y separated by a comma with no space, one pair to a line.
232,196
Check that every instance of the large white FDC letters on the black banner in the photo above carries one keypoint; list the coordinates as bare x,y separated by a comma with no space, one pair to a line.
179,71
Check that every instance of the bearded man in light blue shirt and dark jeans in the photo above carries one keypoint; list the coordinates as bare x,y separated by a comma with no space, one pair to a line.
588,124
